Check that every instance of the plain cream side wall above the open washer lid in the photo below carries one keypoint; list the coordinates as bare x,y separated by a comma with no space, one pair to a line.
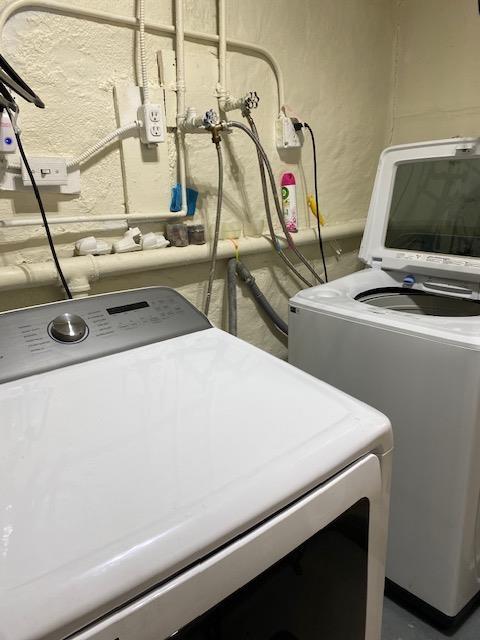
437,69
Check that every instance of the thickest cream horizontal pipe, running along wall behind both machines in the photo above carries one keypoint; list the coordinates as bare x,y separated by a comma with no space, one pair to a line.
88,269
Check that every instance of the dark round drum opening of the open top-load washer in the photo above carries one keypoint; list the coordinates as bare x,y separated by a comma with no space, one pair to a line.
419,302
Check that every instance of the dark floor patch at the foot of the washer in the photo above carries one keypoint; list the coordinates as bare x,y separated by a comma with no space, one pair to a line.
400,624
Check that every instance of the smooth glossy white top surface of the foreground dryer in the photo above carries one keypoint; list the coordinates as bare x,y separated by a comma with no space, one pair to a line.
119,472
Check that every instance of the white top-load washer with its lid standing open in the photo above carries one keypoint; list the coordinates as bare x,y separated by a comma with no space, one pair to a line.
404,336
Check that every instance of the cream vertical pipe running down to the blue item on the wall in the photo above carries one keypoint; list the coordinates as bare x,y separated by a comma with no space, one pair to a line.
180,74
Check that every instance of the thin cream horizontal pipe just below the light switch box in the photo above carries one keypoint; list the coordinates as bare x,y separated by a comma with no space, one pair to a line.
23,221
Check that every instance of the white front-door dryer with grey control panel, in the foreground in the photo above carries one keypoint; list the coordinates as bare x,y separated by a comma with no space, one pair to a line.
160,477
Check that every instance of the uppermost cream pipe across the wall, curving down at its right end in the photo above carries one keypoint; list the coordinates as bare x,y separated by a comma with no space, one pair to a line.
152,27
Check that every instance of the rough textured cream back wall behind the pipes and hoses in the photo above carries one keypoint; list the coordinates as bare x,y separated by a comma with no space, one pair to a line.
336,56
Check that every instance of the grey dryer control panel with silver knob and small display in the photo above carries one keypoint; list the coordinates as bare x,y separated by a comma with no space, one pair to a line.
55,335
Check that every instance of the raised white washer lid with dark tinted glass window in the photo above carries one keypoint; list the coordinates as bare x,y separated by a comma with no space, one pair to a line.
424,214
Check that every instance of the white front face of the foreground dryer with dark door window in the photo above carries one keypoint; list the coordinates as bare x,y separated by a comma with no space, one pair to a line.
314,570
